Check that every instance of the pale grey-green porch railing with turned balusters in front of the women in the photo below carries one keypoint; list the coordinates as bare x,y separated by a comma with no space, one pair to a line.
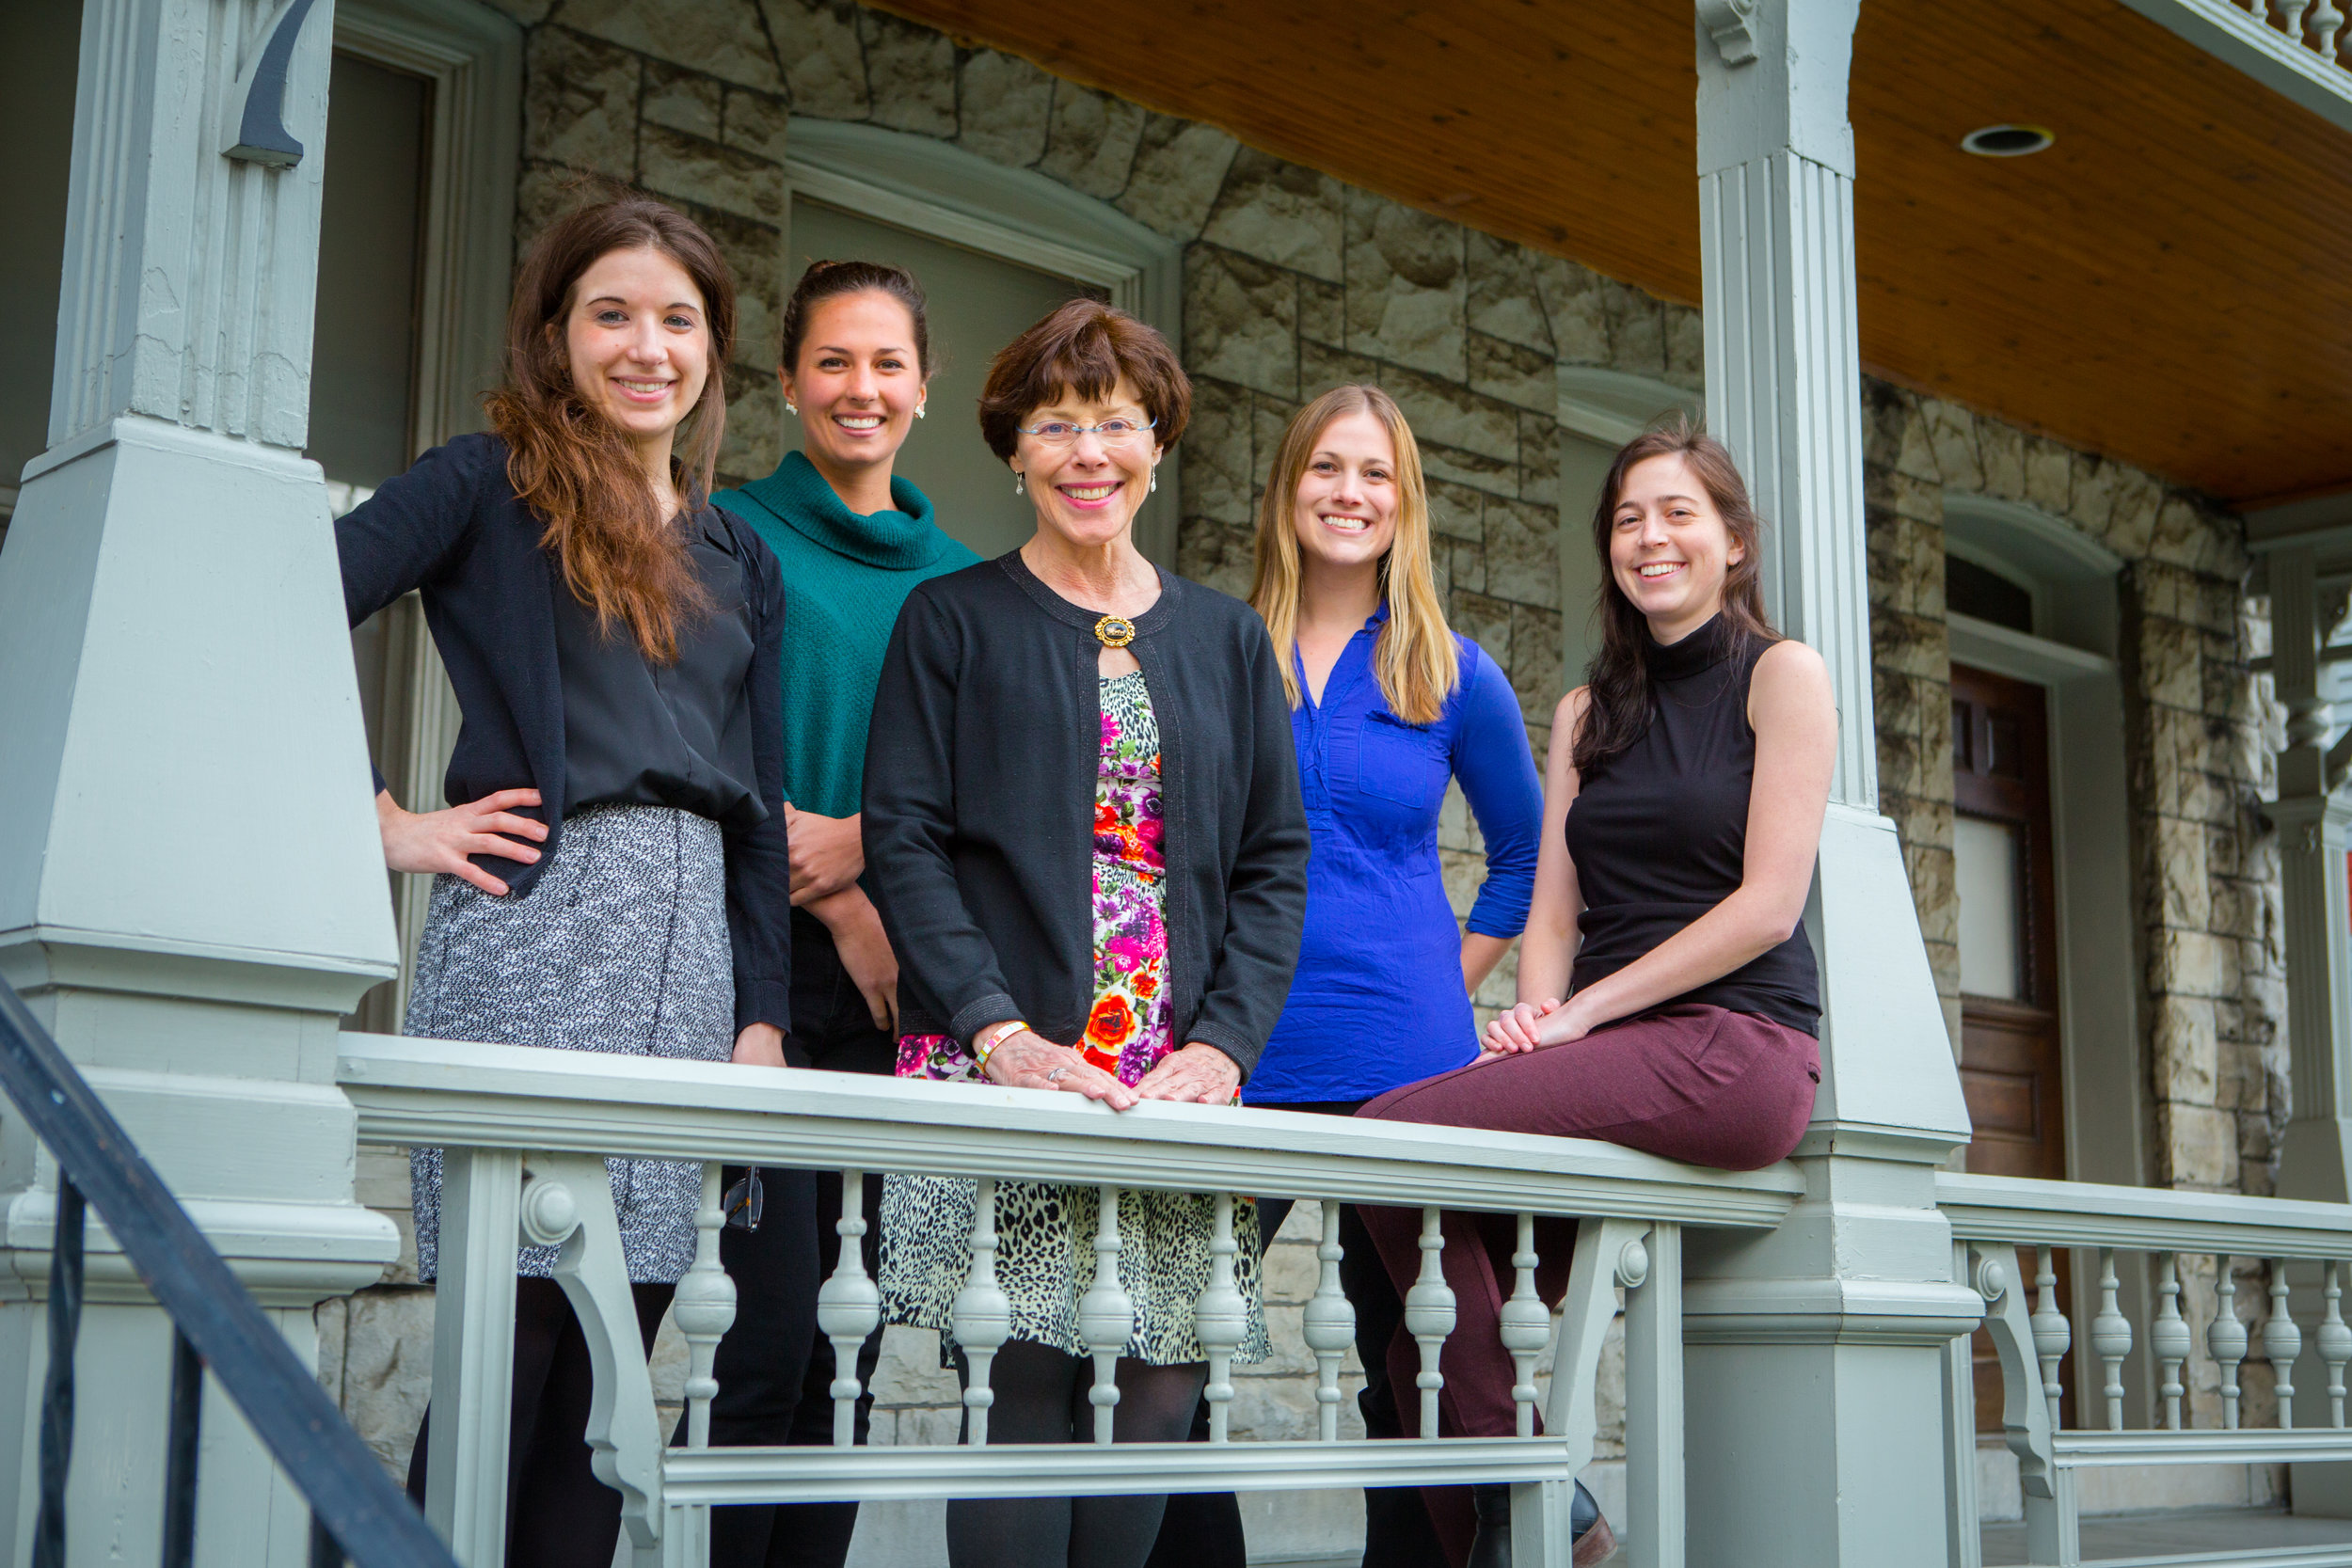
526,1137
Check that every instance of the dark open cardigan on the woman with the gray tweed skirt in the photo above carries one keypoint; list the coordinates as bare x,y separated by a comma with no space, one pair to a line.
455,528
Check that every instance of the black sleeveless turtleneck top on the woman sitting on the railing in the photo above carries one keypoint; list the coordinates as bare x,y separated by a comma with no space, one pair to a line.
1659,833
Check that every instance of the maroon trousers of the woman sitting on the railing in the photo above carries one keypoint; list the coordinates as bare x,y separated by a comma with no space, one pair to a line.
1688,1083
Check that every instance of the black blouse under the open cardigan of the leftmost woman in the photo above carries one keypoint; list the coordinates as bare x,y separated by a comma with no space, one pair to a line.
650,735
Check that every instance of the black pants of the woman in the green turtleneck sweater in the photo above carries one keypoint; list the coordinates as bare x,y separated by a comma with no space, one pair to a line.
775,1369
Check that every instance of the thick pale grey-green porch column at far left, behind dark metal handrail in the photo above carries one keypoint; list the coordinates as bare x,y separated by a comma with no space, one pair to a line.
192,890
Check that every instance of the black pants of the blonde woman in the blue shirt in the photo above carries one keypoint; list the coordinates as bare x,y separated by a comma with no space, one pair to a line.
1205,1529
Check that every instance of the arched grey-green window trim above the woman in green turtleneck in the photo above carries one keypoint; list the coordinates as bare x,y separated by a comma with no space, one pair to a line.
951,194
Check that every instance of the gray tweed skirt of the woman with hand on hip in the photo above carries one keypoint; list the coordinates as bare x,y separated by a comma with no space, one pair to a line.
622,946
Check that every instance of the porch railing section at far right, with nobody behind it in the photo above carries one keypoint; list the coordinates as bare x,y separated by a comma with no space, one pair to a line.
2165,1240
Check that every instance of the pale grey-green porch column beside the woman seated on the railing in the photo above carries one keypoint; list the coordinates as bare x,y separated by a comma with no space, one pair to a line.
1819,1372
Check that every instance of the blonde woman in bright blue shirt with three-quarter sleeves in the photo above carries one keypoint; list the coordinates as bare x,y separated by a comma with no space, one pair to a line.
1387,709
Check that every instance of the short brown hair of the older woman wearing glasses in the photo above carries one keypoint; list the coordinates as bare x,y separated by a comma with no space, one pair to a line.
1083,349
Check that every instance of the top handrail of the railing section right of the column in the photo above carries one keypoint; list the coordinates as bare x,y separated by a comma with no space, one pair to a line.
2141,1219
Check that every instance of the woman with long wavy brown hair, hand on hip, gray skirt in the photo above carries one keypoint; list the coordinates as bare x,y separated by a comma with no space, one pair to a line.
613,869
